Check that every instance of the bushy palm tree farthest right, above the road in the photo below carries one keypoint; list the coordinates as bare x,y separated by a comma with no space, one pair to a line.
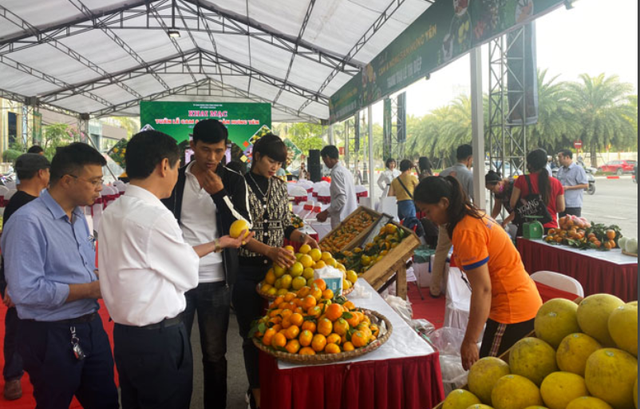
601,107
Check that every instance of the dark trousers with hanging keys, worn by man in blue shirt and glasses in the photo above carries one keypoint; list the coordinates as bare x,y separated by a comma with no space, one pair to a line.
55,372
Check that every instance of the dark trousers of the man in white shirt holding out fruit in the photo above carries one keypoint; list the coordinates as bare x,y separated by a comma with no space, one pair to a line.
155,366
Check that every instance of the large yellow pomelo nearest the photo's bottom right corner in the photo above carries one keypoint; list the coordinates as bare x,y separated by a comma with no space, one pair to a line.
610,376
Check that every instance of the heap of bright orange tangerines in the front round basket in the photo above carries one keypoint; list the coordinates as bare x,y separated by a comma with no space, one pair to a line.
312,321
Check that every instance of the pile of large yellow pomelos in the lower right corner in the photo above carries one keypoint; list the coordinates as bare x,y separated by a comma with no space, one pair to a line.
583,357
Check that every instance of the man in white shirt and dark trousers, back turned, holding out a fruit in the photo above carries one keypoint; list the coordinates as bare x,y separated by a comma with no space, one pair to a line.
146,267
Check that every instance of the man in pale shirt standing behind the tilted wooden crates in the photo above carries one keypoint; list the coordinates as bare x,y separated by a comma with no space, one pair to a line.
343,193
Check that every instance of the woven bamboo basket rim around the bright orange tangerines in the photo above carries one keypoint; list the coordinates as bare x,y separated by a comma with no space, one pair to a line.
319,359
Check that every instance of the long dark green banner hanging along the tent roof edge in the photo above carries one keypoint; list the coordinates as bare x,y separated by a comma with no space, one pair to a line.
445,31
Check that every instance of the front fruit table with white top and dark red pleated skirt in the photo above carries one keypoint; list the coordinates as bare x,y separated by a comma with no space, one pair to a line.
402,373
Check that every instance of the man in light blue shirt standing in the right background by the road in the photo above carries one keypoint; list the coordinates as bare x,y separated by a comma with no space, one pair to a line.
574,180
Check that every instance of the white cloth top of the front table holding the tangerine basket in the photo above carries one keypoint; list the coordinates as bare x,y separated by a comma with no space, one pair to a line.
403,343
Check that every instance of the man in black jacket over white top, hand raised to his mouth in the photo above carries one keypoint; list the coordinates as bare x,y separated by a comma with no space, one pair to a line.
207,198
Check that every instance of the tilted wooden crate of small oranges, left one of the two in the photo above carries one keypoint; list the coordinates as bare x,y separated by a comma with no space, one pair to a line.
351,230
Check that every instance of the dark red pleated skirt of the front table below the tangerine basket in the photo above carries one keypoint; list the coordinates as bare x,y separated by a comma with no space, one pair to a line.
408,383
